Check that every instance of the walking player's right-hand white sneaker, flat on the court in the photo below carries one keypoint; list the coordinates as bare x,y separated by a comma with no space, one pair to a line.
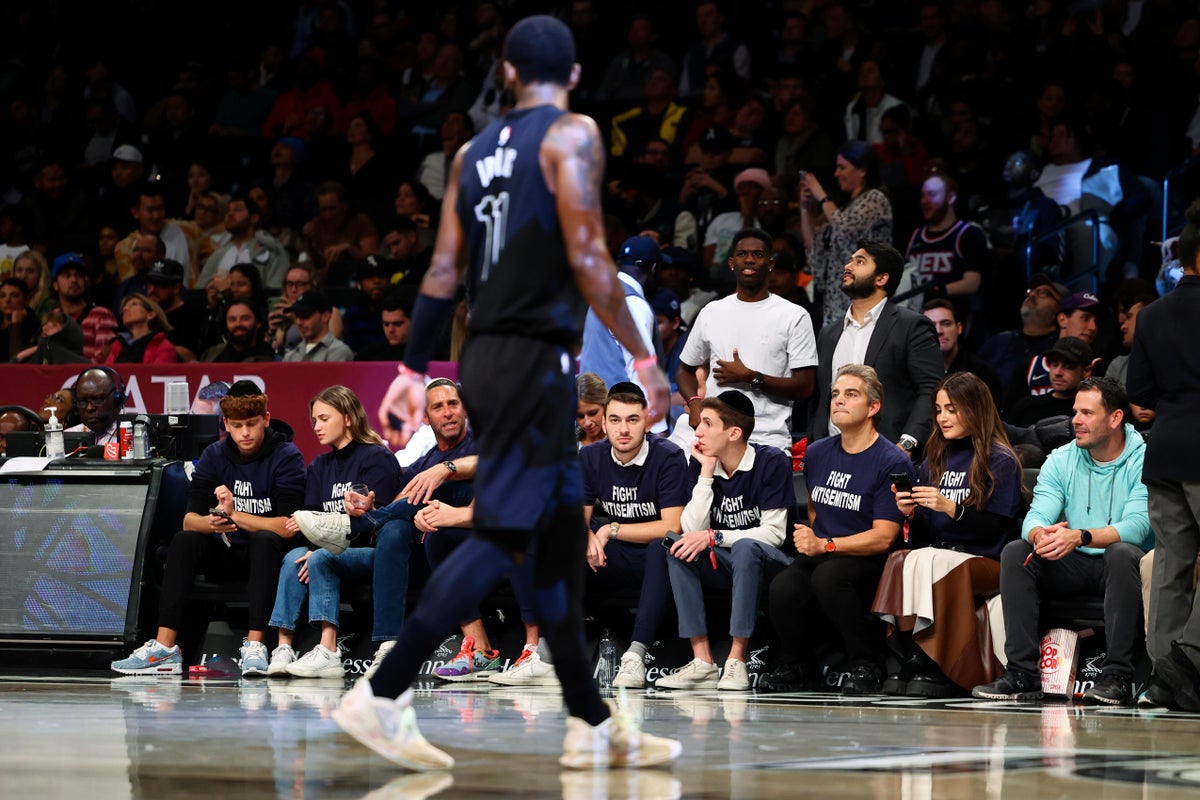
617,742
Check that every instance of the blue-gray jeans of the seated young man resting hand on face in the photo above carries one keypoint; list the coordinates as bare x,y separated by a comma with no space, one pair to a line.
741,568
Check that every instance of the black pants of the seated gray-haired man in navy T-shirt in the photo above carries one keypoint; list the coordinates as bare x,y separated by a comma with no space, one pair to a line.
835,590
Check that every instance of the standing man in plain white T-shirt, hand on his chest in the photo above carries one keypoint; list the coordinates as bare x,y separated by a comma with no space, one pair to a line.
754,342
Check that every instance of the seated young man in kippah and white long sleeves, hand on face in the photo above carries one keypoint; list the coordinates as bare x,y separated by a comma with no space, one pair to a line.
736,522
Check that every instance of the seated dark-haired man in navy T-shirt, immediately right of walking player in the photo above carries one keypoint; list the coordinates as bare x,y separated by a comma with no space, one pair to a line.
638,486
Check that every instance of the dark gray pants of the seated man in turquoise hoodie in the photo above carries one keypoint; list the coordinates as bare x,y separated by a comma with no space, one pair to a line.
1113,576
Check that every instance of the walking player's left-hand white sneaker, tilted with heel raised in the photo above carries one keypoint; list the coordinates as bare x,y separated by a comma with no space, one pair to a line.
389,727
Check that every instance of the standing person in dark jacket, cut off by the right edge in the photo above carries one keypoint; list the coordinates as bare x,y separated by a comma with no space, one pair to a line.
1165,376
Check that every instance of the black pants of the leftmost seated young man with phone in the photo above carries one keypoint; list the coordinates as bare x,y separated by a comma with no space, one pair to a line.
257,561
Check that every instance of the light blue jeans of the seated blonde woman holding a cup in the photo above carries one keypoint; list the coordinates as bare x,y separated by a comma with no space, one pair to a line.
326,576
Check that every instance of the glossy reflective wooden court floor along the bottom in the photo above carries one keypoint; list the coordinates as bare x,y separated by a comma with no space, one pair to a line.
105,738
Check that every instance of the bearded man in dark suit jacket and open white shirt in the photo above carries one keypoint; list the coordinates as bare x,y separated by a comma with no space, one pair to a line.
899,344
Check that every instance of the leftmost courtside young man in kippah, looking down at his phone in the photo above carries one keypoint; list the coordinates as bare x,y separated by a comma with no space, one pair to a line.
253,483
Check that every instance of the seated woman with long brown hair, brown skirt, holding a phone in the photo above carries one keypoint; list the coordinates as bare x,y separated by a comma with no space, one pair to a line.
959,516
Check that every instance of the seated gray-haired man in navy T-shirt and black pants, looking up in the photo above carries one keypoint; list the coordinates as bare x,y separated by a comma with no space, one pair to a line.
854,522
